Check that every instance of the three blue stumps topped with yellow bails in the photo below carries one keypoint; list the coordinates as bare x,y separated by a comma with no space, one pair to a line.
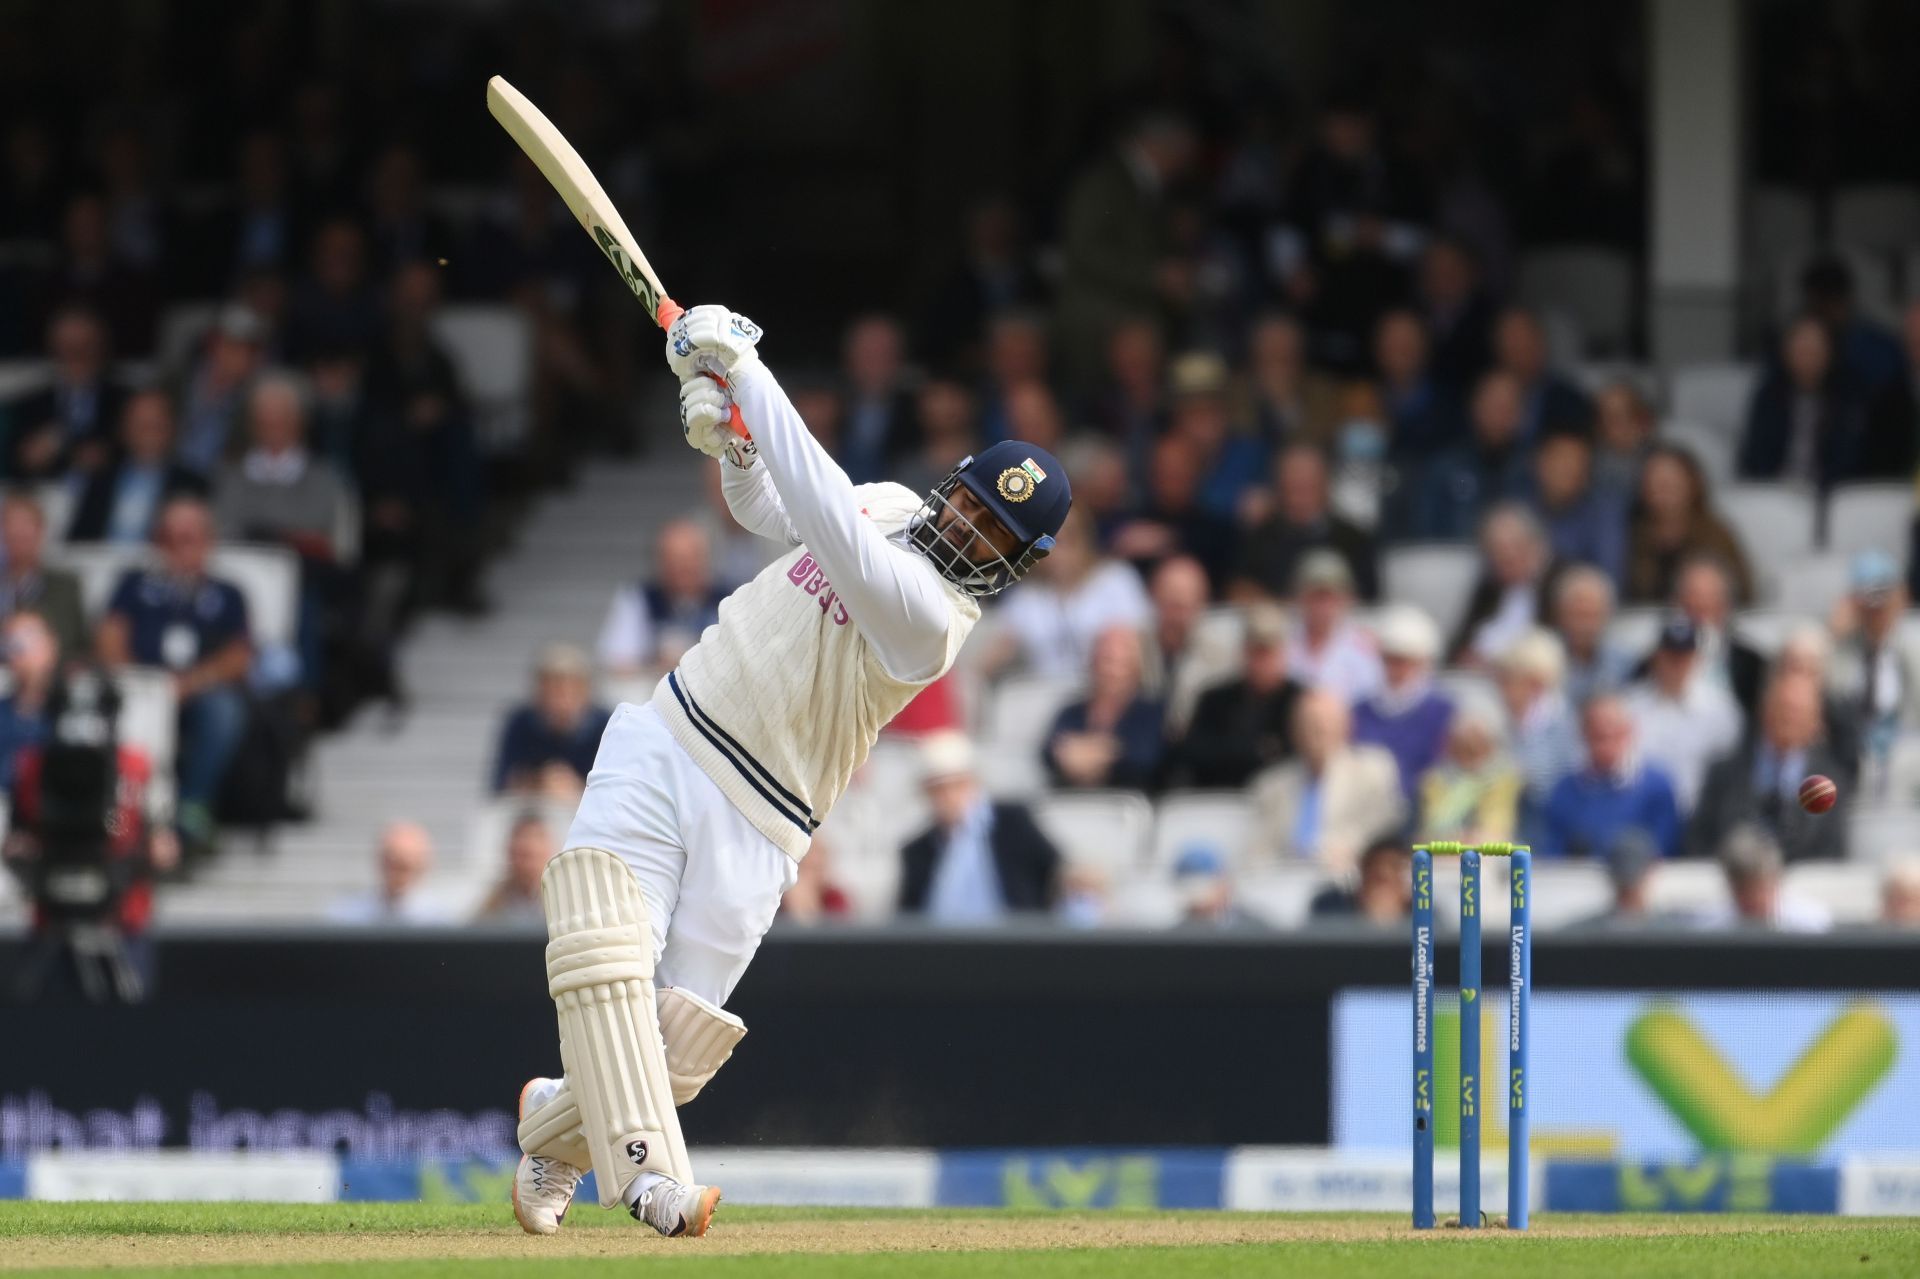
1520,994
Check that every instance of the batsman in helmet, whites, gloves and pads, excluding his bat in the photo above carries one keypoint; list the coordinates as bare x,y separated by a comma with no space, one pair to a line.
704,802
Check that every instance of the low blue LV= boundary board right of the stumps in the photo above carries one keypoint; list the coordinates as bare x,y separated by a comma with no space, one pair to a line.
1731,1184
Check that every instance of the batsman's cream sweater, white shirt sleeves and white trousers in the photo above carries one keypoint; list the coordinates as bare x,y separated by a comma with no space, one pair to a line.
713,790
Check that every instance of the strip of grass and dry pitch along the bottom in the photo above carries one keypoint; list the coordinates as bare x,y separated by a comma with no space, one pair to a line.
427,1242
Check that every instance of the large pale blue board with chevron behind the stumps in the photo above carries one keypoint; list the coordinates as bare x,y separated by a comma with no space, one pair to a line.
1650,1076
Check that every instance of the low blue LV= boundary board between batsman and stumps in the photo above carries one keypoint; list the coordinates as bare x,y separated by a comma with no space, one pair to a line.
1082,1178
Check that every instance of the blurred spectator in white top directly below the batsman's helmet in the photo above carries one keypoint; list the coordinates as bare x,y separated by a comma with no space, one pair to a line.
1047,627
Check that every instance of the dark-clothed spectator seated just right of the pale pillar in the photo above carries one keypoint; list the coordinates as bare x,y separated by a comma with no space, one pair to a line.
1808,422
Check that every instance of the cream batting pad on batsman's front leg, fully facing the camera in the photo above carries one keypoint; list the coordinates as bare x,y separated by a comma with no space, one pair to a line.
600,973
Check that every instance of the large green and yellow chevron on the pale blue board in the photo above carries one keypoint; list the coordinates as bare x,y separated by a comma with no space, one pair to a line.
1798,1115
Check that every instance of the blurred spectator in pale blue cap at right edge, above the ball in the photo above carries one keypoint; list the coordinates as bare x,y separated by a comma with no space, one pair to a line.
1871,671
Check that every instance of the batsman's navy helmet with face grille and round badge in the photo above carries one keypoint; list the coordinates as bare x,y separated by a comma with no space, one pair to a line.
1024,489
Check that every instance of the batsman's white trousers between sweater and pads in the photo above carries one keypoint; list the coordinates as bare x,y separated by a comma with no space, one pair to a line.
711,881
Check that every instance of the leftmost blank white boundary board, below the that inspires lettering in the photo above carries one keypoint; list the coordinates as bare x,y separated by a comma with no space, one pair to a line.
183,1176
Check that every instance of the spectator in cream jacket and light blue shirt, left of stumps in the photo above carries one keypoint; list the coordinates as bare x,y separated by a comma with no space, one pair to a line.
1333,798
